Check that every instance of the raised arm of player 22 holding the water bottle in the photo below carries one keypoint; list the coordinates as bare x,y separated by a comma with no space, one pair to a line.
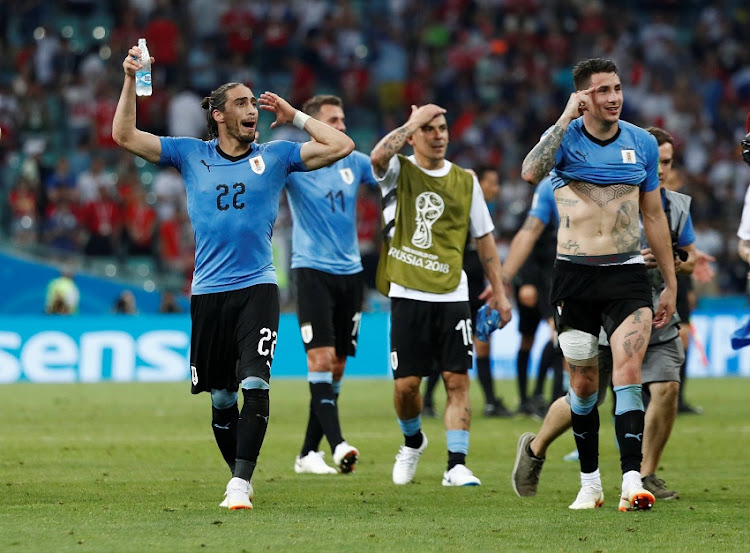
124,132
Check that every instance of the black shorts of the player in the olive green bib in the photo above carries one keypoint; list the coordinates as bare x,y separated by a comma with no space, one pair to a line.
430,335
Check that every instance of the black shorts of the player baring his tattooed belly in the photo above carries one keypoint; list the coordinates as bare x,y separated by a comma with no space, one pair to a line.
587,297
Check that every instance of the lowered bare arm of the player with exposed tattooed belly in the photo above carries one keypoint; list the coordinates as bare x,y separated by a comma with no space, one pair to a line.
657,233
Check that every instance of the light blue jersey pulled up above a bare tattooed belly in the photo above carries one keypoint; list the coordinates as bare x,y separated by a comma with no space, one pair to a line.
630,157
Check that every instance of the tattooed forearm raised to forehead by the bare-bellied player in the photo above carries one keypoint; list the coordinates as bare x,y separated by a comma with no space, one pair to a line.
541,159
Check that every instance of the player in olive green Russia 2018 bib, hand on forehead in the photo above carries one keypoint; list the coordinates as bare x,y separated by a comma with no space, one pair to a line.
430,205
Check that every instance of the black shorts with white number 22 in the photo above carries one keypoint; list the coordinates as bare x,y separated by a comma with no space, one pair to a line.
233,337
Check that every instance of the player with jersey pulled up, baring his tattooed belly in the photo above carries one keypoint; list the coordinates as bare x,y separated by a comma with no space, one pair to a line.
605,172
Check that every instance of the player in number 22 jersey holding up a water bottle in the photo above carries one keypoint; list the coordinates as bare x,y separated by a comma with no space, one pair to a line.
233,187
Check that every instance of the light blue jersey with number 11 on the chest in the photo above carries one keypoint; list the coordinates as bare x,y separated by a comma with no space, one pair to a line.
324,214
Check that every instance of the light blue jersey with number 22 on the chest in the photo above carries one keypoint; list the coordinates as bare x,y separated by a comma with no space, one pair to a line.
232,204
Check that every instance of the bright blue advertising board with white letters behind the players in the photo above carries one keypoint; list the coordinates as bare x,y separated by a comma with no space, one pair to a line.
151,348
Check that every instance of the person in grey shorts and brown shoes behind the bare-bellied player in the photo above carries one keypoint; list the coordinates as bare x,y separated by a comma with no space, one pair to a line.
661,364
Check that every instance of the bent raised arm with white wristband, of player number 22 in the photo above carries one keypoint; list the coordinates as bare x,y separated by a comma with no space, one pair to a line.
327,145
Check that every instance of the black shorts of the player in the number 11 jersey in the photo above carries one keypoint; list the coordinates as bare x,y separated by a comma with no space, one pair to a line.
329,309
